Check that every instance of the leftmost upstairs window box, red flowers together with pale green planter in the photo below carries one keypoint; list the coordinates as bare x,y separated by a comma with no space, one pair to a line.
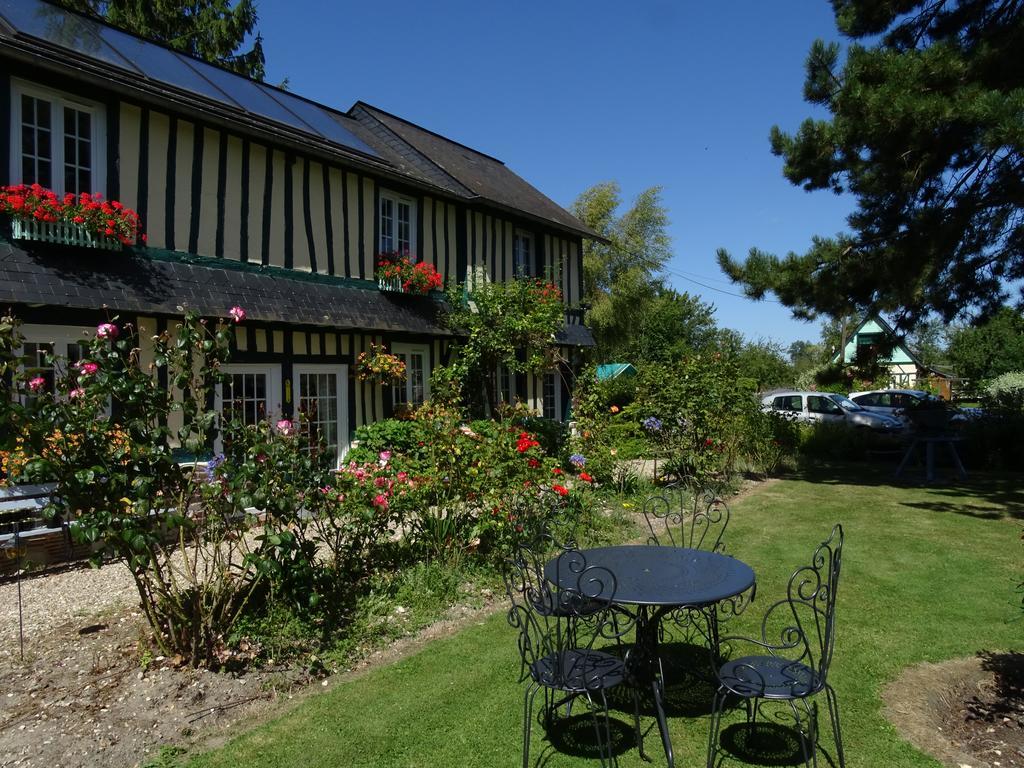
86,221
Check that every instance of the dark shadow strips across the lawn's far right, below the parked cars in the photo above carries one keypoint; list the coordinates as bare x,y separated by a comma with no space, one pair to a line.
987,496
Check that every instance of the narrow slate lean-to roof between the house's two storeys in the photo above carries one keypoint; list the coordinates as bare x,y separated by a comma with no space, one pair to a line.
64,277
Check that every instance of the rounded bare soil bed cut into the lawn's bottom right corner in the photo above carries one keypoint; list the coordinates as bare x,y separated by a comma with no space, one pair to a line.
967,713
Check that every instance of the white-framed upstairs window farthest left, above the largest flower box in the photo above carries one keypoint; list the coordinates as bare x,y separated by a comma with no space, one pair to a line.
59,141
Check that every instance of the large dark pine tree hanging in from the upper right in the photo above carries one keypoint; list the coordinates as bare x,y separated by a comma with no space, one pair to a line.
926,133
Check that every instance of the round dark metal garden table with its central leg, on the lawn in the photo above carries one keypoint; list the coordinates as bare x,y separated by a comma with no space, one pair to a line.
655,581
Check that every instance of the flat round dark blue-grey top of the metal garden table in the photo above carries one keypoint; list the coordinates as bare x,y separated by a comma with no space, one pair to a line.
663,576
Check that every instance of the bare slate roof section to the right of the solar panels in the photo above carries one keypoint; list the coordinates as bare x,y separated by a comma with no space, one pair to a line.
484,177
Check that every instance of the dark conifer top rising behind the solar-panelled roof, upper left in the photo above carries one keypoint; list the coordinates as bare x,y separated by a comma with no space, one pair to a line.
211,30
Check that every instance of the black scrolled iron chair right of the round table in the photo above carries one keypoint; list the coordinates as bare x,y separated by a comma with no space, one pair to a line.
796,668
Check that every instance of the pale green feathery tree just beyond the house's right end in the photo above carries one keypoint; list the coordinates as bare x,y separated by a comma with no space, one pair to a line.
621,277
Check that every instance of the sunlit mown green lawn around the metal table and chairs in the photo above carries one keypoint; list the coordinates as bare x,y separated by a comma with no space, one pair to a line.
929,574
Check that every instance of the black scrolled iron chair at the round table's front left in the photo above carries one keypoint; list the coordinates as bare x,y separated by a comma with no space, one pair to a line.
562,616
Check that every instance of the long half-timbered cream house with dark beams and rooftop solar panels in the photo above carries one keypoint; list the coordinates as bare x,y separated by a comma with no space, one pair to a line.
257,197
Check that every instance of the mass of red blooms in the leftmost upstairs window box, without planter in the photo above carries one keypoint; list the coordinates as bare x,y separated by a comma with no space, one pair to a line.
104,219
